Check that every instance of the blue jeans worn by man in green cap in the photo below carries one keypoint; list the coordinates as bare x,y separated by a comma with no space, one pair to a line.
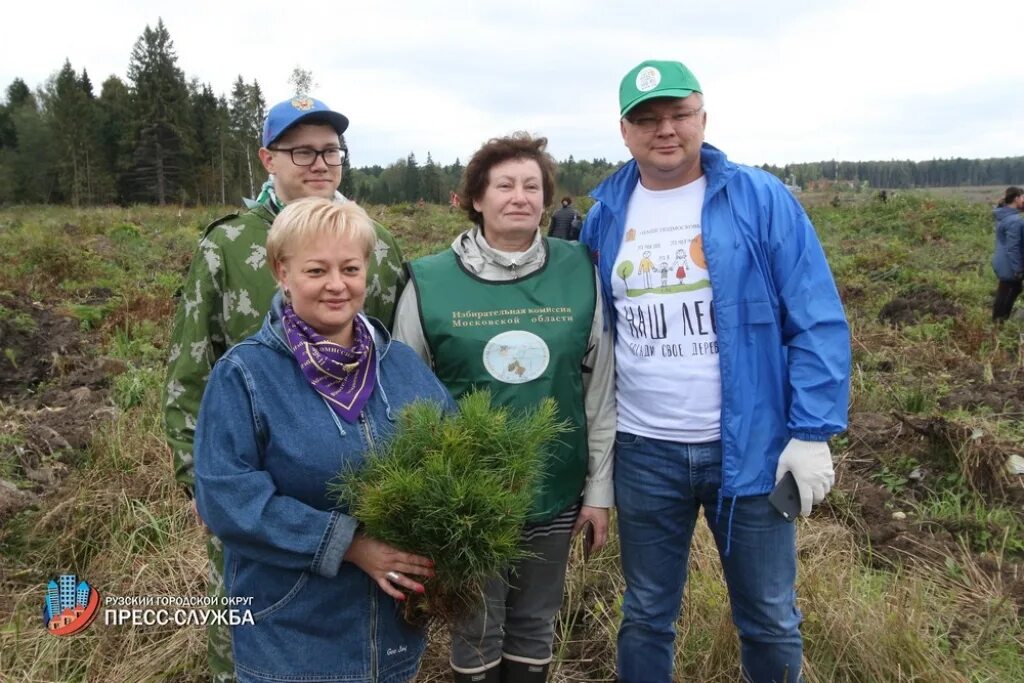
660,488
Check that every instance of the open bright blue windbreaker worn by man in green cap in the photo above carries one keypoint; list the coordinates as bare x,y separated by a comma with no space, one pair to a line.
783,336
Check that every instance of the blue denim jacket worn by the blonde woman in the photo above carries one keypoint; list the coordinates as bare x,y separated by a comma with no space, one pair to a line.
267,446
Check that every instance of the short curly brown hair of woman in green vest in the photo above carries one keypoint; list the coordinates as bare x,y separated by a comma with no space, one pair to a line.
498,151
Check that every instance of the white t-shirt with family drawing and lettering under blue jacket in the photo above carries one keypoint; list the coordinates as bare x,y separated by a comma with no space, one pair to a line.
668,383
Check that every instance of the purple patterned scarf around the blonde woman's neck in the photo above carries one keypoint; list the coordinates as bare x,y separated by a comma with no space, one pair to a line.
346,377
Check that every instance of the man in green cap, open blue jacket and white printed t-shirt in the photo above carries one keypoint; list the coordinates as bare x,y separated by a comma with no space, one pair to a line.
734,357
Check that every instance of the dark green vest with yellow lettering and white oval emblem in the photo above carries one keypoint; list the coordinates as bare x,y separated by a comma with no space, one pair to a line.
525,340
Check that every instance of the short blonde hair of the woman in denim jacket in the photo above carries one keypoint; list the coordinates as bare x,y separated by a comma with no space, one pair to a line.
314,217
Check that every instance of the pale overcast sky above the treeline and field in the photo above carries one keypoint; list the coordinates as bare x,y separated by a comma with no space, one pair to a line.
785,81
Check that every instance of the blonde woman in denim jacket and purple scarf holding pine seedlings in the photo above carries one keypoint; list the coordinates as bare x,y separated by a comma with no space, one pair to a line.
284,412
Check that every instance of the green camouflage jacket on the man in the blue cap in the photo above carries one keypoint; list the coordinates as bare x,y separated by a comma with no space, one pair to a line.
225,298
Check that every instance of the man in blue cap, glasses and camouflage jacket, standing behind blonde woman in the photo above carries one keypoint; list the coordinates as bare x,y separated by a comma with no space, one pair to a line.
229,289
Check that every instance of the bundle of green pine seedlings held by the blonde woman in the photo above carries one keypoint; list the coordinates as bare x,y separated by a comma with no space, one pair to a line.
456,489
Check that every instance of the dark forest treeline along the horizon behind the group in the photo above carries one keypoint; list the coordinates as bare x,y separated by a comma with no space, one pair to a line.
160,138
